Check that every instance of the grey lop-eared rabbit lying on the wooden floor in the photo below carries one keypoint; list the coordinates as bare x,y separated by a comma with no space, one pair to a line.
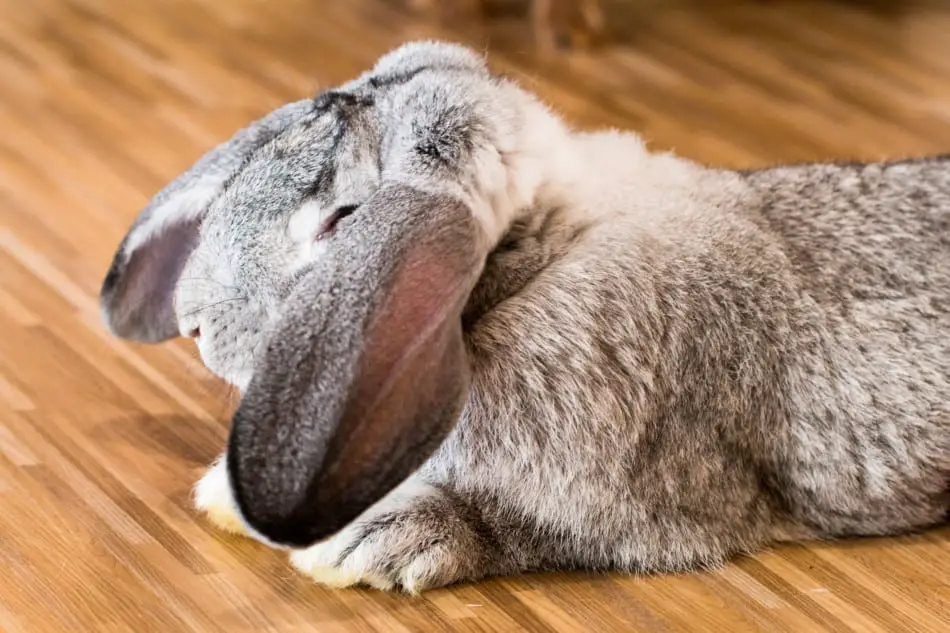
472,341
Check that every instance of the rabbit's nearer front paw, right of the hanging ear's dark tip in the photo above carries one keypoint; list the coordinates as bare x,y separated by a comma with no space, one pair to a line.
413,541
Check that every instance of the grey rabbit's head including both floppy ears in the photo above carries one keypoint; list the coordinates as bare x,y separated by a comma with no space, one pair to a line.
322,258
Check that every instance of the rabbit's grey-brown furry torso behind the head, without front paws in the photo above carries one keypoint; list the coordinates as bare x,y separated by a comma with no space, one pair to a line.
726,360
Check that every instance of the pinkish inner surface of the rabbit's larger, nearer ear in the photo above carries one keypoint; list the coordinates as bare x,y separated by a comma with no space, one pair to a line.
412,378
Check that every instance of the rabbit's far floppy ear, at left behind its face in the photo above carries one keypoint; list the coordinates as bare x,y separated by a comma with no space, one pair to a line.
136,295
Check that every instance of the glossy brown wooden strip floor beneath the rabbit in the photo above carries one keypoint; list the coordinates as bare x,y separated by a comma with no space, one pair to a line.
103,101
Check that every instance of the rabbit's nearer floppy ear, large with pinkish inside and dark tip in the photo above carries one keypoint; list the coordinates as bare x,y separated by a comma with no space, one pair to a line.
366,372
